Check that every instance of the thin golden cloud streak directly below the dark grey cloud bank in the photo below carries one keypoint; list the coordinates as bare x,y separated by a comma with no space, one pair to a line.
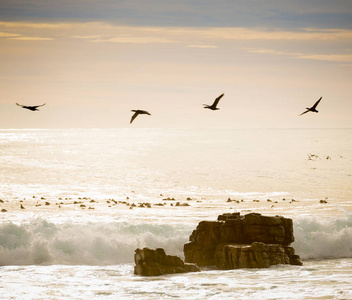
106,32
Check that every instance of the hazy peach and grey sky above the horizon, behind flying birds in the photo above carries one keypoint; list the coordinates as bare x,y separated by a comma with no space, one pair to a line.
92,62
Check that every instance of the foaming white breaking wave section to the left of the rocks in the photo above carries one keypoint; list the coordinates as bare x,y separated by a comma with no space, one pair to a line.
44,243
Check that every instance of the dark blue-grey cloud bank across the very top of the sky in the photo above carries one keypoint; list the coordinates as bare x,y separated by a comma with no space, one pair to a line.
185,13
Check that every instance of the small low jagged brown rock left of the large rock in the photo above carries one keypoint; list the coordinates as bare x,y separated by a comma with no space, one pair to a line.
151,262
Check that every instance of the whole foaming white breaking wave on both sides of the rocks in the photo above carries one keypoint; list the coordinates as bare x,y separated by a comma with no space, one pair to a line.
40,242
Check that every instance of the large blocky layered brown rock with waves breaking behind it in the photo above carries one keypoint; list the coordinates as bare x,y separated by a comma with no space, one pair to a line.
249,241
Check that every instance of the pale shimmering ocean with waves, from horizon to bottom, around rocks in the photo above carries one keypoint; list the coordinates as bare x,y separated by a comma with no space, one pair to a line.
75,204
